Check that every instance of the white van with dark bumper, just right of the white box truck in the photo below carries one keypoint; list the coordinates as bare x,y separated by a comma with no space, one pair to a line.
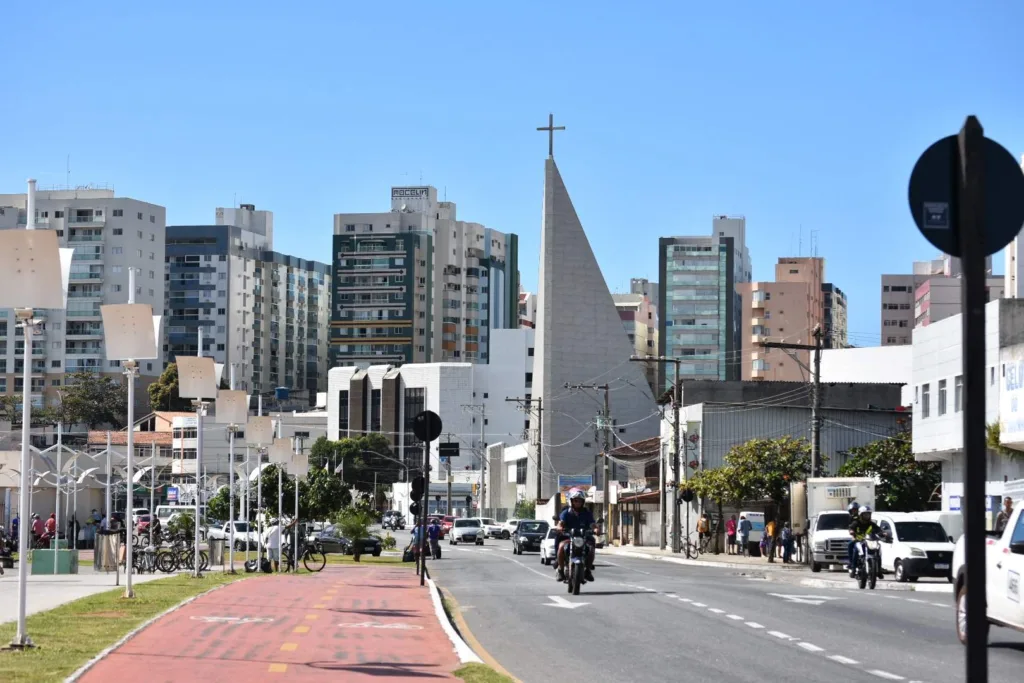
915,548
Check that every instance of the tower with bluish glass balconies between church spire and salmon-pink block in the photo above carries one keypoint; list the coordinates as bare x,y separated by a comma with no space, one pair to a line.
699,302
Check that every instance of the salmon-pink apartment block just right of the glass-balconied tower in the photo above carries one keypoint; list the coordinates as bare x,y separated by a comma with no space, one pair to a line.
785,311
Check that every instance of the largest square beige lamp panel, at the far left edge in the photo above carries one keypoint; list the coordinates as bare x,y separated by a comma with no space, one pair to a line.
33,273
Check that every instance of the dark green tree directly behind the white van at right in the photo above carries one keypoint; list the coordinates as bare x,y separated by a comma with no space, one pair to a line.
905,485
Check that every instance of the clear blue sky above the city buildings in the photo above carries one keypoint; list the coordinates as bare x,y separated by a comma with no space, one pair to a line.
798,115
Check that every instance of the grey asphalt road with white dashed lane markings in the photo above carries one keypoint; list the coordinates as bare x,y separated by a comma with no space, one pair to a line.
646,621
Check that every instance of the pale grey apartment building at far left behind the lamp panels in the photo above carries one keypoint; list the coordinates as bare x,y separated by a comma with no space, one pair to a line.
110,236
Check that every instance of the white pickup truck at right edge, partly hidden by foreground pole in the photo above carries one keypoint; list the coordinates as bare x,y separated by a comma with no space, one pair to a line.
1005,566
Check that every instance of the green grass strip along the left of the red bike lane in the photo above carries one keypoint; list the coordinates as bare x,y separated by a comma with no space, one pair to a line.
69,636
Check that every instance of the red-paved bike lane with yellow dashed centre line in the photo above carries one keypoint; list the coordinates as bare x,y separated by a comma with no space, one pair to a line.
352,624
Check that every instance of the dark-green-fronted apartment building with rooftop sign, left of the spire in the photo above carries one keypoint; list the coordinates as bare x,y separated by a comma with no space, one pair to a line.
416,285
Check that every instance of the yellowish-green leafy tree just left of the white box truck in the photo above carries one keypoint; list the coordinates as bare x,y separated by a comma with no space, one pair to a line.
764,468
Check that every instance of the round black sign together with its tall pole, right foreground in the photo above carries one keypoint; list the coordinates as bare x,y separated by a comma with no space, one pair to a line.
965,197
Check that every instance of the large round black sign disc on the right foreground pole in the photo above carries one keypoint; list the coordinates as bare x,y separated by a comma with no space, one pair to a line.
933,203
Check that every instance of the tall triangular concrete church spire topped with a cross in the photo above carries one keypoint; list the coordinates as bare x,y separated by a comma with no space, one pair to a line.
580,340
